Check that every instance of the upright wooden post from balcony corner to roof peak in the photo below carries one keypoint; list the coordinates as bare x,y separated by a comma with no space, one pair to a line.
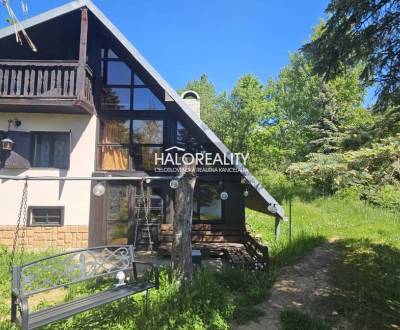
81,74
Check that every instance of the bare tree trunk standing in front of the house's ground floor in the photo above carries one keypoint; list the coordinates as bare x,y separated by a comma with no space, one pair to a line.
181,255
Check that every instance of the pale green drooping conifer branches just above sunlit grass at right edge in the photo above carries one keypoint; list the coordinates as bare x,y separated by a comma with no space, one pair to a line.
367,169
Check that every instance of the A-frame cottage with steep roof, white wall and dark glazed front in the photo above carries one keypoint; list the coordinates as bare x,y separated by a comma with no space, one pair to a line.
87,104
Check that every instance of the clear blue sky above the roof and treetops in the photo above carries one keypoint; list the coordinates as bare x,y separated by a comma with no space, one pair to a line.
222,38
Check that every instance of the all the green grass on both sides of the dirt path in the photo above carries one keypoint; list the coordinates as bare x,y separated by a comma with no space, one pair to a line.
369,241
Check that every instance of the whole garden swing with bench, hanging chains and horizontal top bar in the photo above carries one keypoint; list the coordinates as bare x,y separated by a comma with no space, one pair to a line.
76,267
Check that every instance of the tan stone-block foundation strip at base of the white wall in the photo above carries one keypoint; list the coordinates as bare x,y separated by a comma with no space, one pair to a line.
63,237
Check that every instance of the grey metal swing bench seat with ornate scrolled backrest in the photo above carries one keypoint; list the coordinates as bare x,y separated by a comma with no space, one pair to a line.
62,270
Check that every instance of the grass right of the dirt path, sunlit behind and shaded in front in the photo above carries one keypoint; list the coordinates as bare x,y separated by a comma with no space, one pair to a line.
367,272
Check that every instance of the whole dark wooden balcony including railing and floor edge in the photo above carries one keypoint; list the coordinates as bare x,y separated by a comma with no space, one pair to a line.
45,86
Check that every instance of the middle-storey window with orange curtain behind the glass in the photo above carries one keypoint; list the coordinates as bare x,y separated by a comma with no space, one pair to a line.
127,144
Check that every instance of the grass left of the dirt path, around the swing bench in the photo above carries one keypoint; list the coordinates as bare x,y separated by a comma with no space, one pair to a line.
213,301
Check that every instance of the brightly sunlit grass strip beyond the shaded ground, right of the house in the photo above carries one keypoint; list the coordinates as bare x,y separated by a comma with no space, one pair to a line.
331,217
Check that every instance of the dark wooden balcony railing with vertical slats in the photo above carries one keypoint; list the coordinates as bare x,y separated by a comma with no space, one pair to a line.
45,80
